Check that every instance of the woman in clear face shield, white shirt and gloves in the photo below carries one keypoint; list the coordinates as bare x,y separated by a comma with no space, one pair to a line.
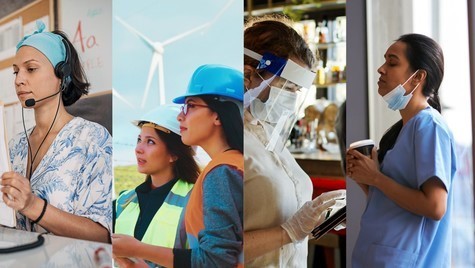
278,210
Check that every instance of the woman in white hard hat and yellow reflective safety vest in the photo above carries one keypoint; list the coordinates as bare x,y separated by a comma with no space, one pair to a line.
153,212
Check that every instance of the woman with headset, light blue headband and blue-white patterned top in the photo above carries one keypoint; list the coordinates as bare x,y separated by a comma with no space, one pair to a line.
62,172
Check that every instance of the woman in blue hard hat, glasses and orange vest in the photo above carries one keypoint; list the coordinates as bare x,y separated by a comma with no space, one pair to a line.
211,117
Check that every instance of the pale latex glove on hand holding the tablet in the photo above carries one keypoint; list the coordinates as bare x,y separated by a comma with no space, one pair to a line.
311,214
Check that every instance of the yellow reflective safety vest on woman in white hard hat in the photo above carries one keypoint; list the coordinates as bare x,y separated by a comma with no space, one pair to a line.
167,228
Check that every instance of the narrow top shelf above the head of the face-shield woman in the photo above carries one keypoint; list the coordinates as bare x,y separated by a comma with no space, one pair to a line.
279,7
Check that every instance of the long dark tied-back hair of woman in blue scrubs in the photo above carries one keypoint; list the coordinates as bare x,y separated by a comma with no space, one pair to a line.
423,53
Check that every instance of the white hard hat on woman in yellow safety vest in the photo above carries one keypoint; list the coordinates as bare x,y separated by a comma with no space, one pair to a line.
163,118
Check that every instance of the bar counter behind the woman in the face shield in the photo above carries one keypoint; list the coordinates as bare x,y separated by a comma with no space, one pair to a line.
320,164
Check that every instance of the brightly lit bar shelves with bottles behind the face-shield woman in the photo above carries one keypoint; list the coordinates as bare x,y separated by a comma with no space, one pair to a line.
322,24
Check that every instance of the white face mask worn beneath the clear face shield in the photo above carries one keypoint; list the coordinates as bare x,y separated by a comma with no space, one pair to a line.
278,102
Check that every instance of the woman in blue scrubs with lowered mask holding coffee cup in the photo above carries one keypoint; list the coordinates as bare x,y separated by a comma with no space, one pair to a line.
407,221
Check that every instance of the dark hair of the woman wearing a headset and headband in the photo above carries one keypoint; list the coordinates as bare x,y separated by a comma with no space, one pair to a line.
79,85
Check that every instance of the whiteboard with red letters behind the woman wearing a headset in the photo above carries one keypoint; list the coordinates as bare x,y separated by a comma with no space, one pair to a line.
88,24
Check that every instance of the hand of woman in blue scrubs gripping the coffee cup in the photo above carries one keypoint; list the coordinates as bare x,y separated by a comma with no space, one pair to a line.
362,169
